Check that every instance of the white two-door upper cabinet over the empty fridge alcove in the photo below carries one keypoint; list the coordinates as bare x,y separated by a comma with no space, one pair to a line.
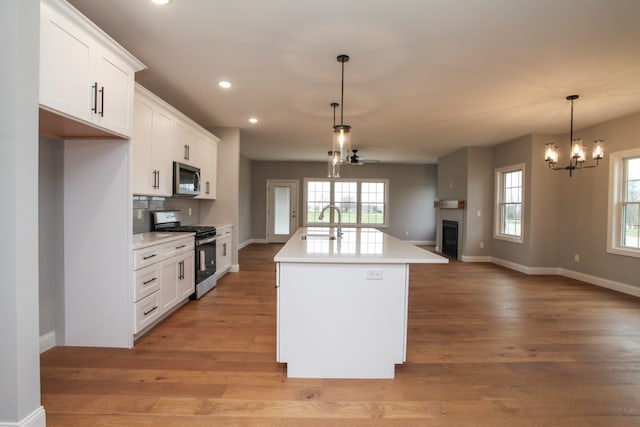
85,76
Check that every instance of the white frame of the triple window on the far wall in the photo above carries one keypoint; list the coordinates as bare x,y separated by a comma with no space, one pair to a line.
359,203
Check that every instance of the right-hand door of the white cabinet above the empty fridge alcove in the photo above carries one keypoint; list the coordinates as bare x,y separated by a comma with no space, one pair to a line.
115,92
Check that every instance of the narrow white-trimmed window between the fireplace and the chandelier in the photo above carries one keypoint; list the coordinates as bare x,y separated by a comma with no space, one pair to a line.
509,203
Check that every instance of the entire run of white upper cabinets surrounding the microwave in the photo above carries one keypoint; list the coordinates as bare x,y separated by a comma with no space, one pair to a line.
163,135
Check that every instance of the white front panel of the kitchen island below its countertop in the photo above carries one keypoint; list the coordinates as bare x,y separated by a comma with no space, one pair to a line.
342,320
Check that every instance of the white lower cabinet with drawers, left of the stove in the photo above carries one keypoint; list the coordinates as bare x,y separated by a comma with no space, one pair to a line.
163,278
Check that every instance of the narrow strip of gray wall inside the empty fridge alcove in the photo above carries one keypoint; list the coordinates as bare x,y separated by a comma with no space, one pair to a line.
51,237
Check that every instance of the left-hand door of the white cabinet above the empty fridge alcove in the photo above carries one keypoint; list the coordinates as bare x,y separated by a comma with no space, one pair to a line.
67,66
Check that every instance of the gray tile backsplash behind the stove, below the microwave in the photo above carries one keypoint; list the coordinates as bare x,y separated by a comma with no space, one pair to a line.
144,205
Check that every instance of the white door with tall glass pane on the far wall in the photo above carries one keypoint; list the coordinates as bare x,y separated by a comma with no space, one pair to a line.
282,210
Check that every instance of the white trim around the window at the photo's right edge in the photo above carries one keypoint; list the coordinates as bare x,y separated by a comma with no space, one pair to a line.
614,215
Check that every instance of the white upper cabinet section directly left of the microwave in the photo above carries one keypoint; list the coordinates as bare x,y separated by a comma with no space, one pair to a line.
151,146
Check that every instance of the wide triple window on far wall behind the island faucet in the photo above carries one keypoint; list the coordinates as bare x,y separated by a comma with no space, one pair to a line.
361,202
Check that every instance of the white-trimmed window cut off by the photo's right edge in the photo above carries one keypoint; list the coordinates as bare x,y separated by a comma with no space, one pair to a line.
624,203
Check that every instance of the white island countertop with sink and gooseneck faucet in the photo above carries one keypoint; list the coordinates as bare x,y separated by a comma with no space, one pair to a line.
357,245
